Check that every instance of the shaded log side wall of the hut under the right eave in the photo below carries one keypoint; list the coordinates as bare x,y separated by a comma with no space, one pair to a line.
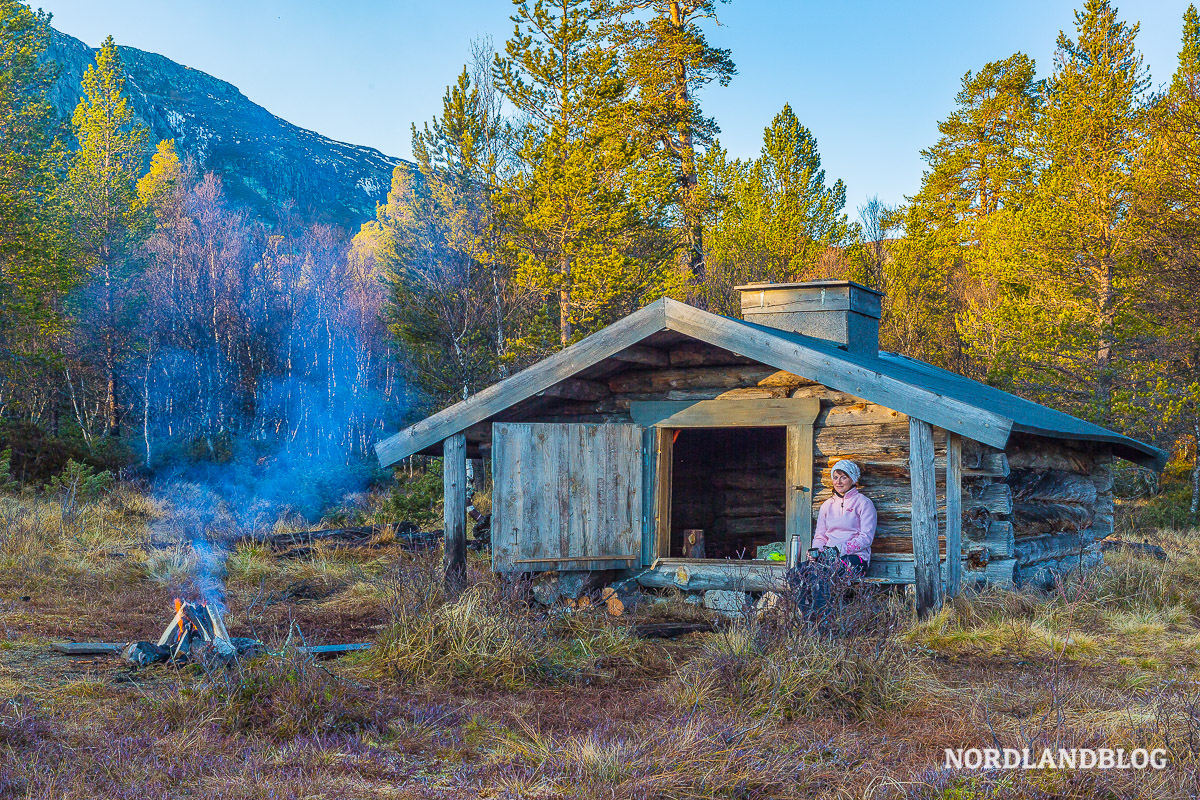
1063,507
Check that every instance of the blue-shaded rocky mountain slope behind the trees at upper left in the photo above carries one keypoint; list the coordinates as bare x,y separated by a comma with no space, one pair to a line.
266,163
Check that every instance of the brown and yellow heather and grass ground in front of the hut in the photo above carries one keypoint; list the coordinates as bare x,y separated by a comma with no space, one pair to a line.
487,697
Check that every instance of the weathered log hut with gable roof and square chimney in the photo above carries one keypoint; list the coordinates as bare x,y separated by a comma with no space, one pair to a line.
677,420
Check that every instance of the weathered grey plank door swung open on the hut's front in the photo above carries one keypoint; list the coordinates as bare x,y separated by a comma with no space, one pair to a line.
566,496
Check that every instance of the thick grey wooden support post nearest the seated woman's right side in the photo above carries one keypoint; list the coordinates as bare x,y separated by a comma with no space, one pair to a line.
923,479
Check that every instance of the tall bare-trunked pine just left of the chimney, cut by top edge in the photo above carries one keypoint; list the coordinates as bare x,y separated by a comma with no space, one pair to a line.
668,61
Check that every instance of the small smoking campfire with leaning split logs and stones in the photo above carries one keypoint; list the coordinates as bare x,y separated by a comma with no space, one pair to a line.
197,633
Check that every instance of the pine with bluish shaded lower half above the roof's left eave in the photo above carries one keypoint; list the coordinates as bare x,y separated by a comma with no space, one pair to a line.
439,240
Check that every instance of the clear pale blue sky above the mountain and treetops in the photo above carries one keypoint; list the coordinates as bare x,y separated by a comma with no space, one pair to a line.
871,79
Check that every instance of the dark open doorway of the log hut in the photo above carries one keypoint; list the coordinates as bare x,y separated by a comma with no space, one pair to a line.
731,484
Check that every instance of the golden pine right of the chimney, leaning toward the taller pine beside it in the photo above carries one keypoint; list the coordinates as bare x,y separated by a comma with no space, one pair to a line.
941,281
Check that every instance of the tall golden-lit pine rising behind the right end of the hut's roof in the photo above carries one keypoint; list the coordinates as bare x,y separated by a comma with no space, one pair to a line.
1067,255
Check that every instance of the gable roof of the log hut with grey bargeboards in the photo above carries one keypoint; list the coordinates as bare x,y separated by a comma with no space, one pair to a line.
914,388
